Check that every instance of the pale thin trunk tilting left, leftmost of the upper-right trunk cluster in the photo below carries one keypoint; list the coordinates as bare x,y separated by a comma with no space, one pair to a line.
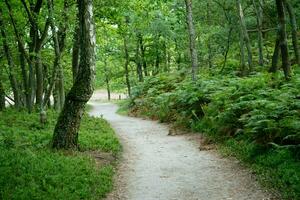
245,34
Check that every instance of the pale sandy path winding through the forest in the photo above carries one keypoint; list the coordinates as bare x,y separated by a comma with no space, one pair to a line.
155,166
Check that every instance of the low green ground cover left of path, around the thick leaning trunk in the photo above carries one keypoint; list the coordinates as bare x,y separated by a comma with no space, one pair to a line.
29,169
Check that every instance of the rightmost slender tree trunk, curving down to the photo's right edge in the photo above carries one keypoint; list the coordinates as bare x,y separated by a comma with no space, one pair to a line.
293,23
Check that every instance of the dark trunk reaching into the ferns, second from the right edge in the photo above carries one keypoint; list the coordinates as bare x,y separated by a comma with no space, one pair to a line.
283,39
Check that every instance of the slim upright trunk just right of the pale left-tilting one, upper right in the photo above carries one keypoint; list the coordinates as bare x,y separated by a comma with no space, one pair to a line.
259,19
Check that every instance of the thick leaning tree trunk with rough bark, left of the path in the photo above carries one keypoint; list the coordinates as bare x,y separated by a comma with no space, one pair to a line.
66,131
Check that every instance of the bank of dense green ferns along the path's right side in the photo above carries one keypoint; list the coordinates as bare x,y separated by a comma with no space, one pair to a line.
254,118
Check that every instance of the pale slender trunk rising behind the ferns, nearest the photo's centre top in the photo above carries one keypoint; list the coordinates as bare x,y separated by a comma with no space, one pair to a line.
192,38
